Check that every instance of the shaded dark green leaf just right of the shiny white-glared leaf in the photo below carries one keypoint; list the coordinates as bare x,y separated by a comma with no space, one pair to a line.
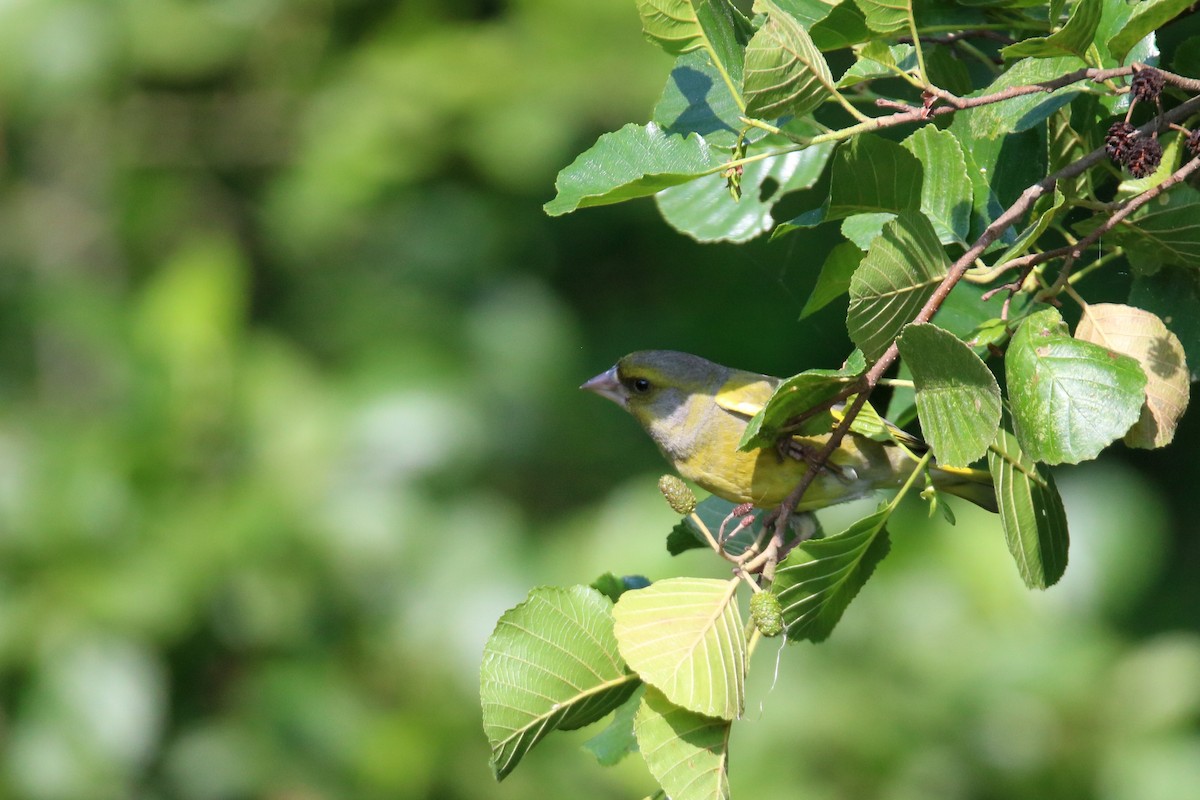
873,175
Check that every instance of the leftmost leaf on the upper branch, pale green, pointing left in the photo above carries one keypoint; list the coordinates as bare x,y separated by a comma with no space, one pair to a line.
635,161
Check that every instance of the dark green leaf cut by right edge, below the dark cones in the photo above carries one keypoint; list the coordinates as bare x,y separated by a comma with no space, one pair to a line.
1167,230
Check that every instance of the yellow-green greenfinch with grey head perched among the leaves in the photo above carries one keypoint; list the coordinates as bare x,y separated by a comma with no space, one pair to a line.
697,412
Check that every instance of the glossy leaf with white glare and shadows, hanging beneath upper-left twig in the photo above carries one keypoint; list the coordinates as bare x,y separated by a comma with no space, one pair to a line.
705,210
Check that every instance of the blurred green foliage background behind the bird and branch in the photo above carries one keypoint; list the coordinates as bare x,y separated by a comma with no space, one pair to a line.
289,357
